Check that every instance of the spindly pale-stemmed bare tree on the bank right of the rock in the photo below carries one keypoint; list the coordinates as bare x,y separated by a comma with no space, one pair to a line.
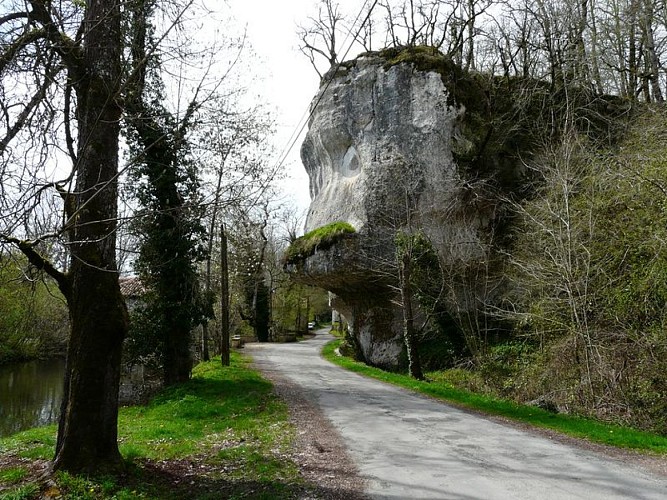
554,263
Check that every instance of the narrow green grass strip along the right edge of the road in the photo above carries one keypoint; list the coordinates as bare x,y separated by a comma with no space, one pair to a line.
592,430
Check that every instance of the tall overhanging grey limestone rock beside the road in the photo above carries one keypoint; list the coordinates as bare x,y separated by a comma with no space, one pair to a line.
379,156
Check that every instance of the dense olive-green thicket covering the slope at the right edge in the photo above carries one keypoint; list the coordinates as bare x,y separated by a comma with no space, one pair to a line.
590,259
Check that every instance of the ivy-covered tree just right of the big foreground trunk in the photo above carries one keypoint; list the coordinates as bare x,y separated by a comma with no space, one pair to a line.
170,228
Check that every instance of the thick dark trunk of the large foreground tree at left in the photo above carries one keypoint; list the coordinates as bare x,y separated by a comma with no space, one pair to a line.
87,434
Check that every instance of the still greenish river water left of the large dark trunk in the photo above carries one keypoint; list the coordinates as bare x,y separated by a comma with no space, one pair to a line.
30,394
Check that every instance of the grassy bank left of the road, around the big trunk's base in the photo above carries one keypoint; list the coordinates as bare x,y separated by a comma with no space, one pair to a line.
224,434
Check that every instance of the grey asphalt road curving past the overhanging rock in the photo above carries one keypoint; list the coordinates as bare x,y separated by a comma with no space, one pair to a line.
410,447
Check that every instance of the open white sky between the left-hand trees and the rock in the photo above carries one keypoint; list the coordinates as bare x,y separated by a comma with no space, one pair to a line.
290,80
